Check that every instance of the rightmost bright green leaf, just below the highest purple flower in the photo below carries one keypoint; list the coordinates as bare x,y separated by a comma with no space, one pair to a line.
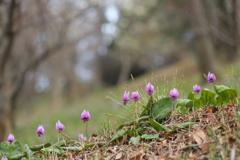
225,93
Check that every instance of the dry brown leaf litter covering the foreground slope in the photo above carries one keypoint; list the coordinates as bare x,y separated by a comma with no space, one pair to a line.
216,128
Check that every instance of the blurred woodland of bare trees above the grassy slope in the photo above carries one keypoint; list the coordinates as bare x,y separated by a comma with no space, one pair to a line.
68,48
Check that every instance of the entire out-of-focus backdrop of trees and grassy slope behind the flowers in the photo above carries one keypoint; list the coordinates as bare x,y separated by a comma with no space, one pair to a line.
59,57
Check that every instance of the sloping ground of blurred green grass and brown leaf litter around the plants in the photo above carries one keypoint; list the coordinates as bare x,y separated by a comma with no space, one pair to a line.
214,136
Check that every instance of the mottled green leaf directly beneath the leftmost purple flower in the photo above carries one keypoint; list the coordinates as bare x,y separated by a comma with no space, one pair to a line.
6,147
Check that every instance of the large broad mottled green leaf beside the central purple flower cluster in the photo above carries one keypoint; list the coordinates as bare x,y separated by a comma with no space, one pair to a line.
162,108
